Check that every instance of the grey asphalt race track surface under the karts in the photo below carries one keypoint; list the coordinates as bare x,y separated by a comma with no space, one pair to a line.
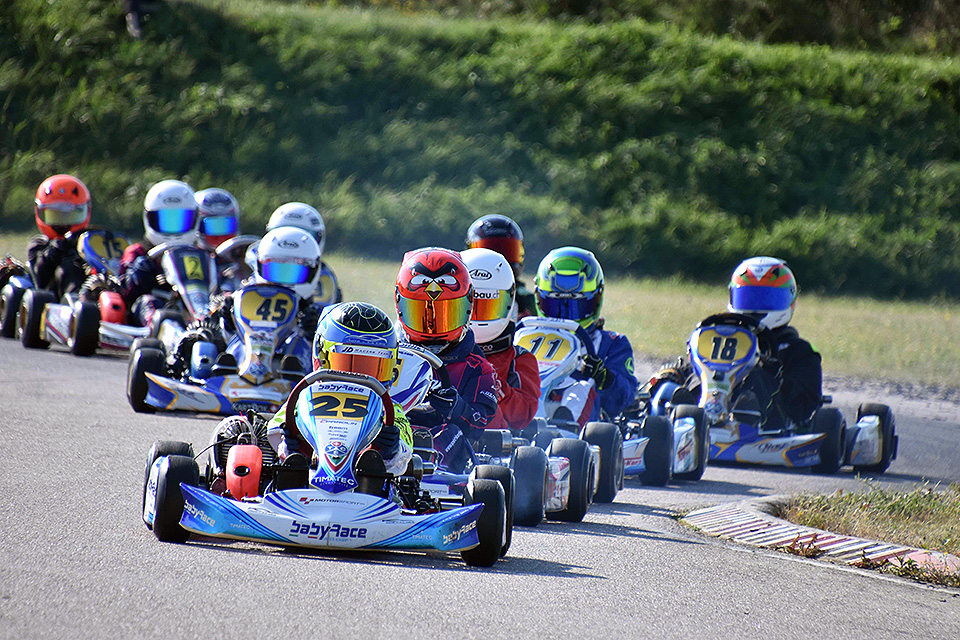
76,561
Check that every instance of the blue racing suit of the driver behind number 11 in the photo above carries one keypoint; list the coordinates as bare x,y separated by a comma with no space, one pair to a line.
613,387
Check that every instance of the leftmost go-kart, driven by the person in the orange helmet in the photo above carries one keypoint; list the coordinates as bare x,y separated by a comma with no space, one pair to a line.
75,321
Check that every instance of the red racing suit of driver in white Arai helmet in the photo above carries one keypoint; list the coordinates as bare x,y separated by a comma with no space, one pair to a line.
518,382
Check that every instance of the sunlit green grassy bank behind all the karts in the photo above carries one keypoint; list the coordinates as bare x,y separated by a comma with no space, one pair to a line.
666,152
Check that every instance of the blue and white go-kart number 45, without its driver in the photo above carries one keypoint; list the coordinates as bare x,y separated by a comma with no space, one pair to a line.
203,373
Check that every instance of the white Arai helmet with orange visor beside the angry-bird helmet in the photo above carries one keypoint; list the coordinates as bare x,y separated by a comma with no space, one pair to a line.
494,293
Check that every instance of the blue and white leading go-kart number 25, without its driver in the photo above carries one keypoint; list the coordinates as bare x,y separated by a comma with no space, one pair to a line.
341,506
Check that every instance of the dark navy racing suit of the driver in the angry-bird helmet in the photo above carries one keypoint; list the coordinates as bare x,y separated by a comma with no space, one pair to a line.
463,410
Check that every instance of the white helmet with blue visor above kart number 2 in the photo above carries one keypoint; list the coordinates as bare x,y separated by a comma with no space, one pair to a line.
170,213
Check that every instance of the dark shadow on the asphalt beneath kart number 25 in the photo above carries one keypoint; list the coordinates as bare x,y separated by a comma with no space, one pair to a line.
510,565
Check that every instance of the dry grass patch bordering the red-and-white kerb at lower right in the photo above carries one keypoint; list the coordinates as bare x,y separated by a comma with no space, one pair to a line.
927,517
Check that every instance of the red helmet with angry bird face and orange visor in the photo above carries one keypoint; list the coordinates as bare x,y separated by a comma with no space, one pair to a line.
434,296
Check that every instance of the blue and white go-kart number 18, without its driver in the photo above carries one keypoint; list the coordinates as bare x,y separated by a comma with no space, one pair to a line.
723,349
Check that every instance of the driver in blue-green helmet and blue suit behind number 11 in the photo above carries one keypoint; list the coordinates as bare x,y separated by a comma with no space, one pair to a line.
569,285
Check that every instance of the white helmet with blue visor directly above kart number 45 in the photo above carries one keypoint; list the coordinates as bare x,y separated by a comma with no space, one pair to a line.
289,257
